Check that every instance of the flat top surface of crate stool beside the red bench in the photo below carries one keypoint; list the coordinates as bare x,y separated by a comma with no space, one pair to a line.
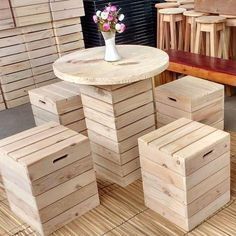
191,87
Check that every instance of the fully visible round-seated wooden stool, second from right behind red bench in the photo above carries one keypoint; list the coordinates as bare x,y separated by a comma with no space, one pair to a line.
214,28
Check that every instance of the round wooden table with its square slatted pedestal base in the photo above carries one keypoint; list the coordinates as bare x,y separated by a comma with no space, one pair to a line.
118,104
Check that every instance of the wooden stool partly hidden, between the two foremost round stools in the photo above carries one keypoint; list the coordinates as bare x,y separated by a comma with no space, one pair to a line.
190,29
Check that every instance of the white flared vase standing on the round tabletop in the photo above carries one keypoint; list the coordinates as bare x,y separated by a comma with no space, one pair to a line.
111,53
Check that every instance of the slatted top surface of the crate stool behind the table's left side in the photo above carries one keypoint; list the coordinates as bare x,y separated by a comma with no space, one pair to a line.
57,92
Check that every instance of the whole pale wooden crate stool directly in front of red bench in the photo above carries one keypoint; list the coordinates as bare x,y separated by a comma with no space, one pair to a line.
192,98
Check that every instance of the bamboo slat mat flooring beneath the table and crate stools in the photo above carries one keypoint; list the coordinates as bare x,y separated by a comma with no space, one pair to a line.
122,212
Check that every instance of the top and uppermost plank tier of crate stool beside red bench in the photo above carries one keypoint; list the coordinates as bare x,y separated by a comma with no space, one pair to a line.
189,93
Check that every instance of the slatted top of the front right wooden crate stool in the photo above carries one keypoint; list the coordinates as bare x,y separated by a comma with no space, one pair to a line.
184,138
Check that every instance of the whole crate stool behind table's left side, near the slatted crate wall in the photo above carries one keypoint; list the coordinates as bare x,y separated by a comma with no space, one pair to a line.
59,102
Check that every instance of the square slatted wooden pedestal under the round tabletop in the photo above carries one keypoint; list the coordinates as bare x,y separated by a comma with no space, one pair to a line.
116,116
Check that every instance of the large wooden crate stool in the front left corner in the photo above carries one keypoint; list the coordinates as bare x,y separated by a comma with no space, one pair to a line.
48,175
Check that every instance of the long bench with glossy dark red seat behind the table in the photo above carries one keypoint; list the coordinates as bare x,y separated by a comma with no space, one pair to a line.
209,68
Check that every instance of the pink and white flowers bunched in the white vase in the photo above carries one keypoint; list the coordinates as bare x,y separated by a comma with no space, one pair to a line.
110,19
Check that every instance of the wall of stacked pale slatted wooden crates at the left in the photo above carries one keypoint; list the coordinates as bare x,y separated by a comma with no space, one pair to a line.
40,31
